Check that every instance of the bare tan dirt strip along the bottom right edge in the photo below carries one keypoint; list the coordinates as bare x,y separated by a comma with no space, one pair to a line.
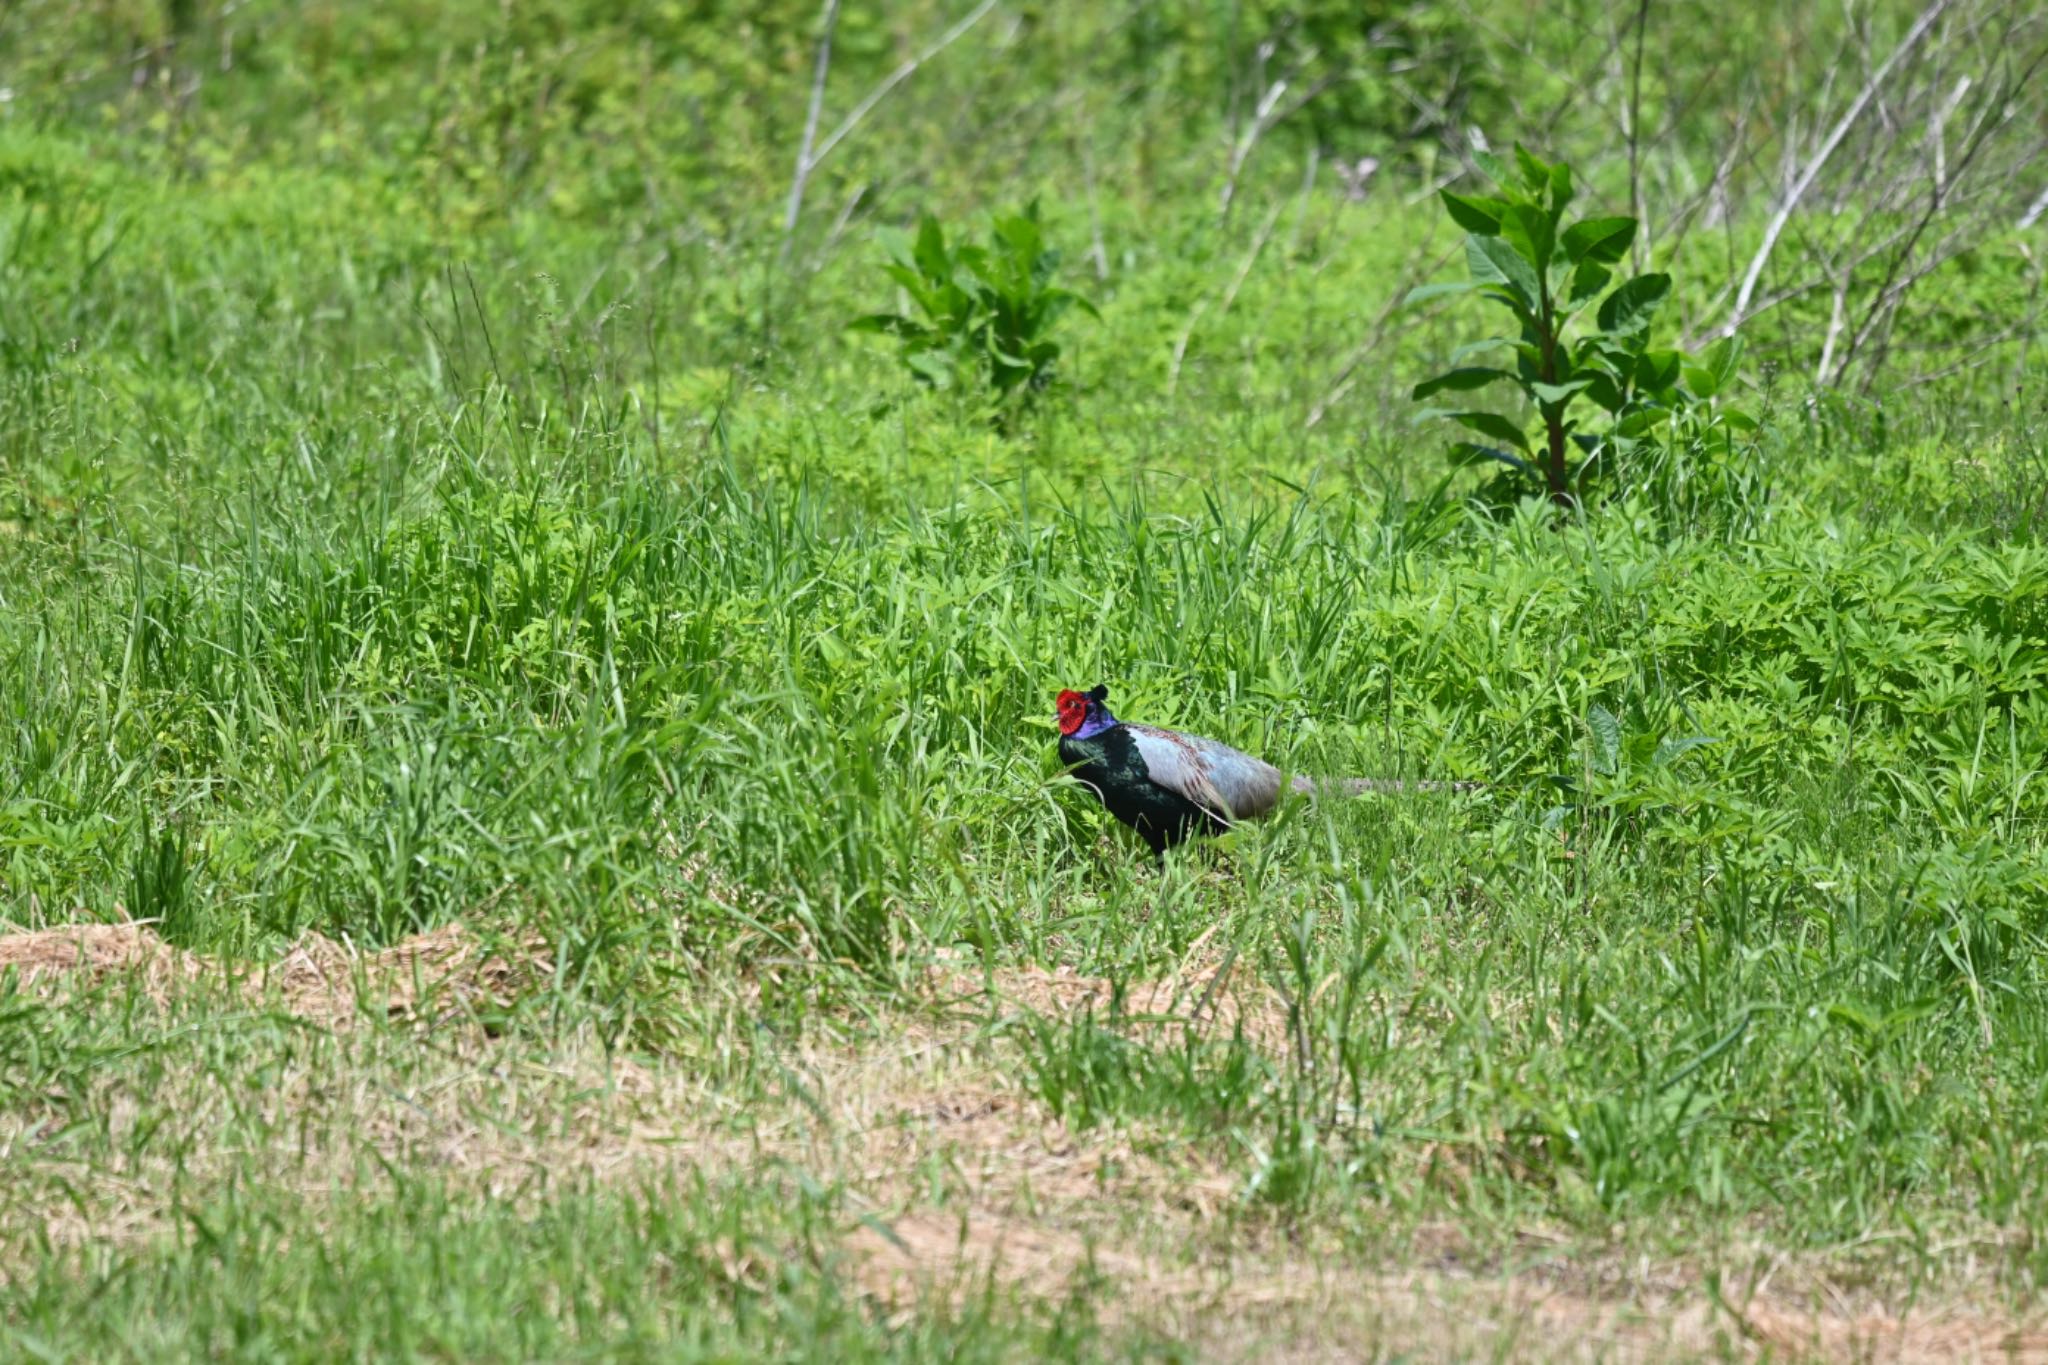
1293,1309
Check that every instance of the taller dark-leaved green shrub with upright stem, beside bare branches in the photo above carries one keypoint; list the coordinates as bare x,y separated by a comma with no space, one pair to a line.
1644,398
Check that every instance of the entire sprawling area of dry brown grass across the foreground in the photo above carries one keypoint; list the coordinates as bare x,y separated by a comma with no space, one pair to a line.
959,1178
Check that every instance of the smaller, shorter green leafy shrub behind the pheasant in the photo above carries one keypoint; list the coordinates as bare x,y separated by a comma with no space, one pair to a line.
980,310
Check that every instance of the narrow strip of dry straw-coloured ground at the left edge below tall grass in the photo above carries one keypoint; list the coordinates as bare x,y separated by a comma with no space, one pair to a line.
318,979
